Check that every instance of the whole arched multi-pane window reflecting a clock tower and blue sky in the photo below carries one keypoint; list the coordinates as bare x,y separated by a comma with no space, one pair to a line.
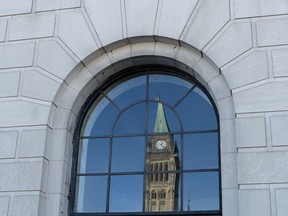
129,128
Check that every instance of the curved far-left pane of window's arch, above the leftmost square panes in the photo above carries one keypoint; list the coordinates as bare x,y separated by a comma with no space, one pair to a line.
100,118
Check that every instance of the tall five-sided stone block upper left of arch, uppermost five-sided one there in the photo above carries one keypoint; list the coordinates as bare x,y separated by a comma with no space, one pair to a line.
75,33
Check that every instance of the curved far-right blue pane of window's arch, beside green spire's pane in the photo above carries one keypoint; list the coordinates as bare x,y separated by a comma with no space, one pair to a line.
197,113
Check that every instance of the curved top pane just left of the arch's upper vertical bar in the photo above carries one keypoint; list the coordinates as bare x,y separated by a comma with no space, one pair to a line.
129,91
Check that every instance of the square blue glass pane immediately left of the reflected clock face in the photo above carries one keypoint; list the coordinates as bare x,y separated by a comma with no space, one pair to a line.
128,154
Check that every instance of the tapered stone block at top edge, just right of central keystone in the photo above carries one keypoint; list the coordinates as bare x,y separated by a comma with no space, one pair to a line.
169,23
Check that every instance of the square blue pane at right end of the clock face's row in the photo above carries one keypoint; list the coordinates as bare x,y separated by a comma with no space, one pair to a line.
201,151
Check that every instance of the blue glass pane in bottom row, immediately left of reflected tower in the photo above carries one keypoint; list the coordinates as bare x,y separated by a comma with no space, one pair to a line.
126,193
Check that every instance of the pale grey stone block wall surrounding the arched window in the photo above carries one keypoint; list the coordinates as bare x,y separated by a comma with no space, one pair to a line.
54,53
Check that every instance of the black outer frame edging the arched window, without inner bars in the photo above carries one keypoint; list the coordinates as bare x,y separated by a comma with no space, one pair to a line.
134,72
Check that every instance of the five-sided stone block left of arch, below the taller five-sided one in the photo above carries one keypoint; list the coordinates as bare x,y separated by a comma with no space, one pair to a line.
53,58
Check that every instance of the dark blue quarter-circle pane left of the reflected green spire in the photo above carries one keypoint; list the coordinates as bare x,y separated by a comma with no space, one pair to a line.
132,120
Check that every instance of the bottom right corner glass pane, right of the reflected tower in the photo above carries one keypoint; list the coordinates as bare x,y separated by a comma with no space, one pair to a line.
201,191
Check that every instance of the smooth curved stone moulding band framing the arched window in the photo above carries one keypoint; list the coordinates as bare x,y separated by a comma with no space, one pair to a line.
101,64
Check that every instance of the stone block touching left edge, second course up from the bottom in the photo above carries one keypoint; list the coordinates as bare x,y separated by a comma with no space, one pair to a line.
21,176
